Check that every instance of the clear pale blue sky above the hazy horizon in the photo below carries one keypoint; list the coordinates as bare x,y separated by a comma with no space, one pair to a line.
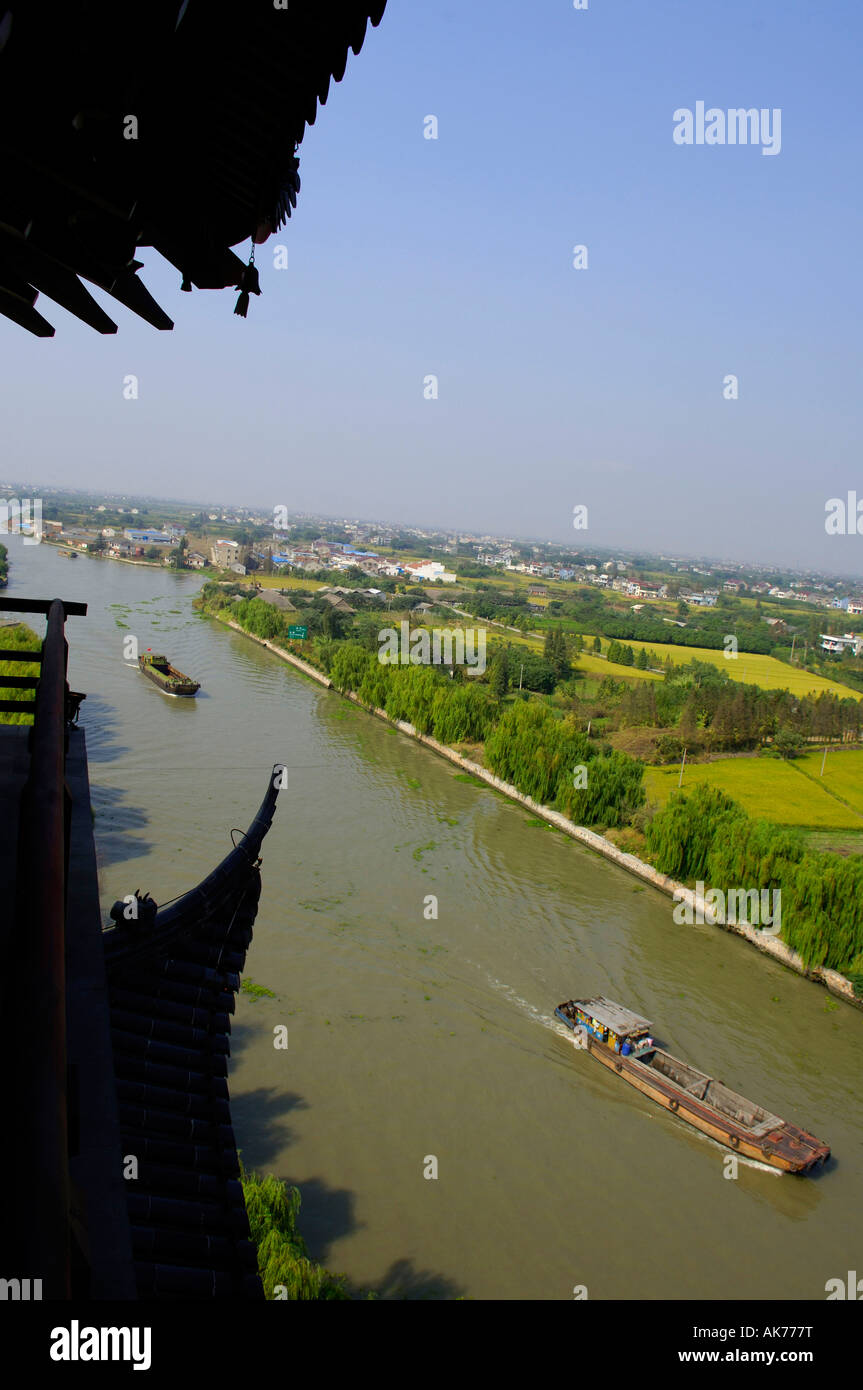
455,256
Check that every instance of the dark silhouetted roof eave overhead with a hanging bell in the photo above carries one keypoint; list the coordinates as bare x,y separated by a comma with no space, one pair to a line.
222,97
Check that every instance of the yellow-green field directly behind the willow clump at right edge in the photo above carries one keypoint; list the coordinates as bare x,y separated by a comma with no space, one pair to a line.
765,787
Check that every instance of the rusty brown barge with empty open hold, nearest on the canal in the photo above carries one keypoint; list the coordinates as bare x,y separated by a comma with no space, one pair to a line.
622,1042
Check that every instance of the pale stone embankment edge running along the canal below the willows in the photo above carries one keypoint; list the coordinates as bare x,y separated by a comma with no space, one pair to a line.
836,983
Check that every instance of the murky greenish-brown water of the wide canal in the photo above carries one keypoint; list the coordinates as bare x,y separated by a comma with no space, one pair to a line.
415,1039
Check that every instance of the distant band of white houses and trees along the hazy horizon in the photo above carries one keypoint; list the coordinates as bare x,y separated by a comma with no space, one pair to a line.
272,551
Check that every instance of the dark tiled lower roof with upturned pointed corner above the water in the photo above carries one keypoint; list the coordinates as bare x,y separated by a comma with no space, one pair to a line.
172,990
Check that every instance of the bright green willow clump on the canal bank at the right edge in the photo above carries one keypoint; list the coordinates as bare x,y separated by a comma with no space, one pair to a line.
702,835
